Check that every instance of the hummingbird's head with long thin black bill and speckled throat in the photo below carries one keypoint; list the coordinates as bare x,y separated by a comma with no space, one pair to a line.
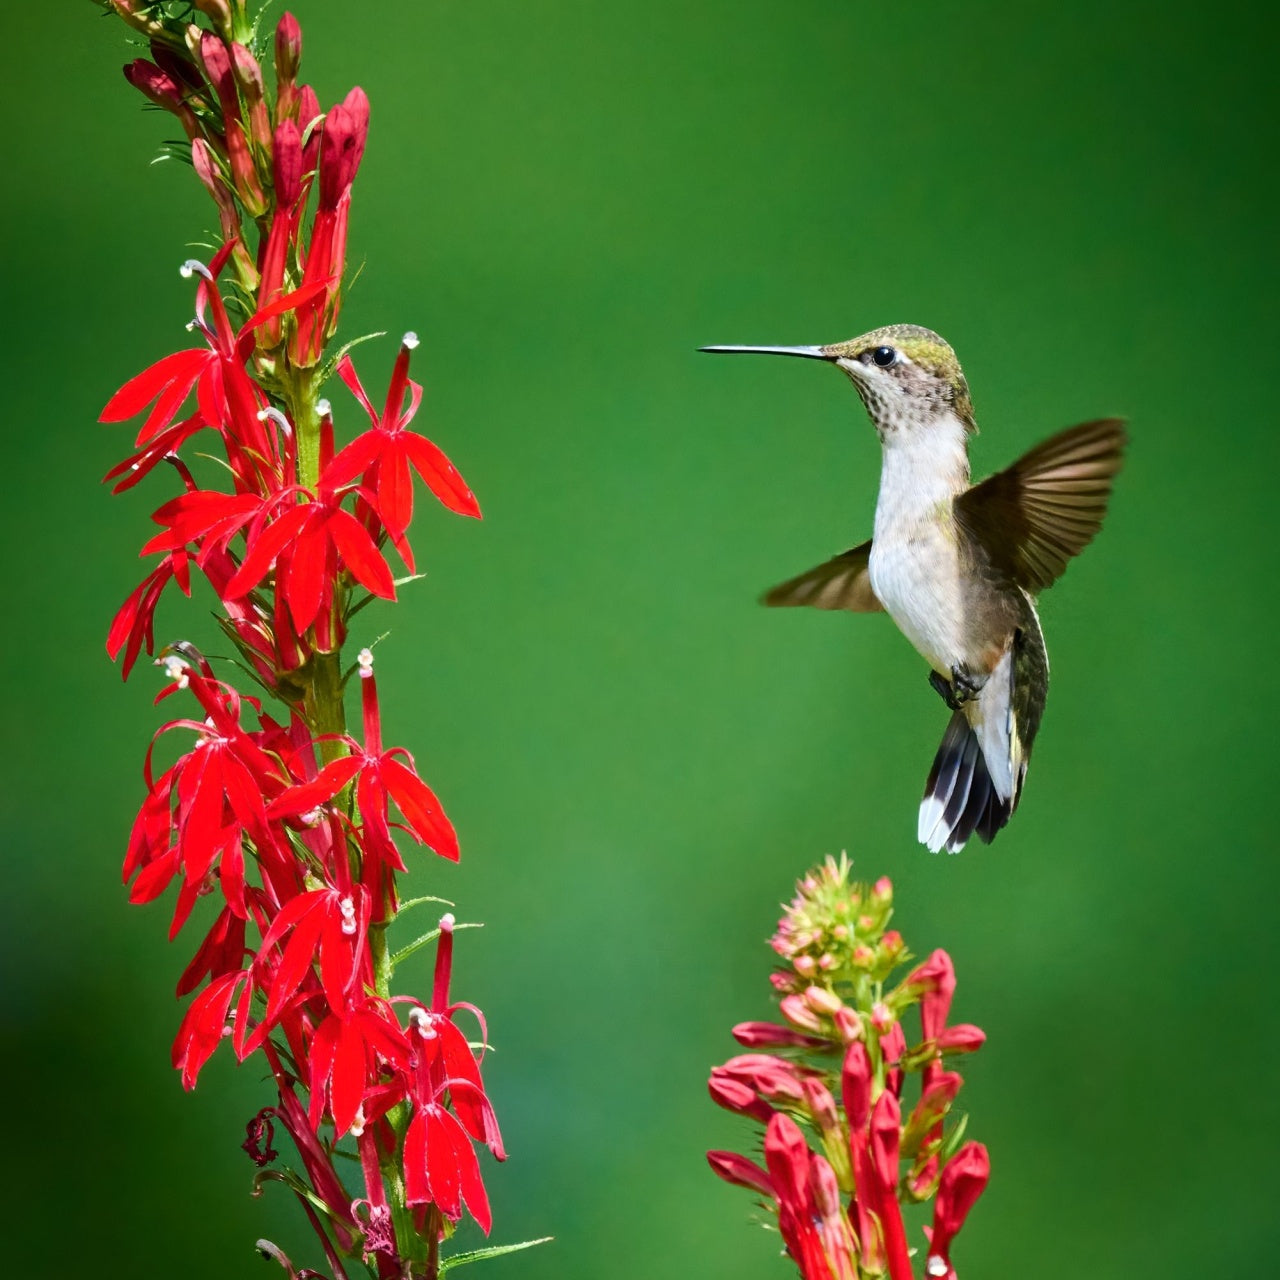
907,376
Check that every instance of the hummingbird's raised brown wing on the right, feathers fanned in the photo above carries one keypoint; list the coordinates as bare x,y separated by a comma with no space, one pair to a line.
1035,516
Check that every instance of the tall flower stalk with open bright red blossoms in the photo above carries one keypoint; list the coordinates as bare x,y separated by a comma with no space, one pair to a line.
272,810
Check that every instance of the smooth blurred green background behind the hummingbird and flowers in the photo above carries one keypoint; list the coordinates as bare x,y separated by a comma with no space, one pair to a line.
565,200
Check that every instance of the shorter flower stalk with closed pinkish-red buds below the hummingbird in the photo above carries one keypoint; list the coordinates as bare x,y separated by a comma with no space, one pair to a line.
843,1150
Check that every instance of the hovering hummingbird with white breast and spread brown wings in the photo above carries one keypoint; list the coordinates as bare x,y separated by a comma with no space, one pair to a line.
958,566
